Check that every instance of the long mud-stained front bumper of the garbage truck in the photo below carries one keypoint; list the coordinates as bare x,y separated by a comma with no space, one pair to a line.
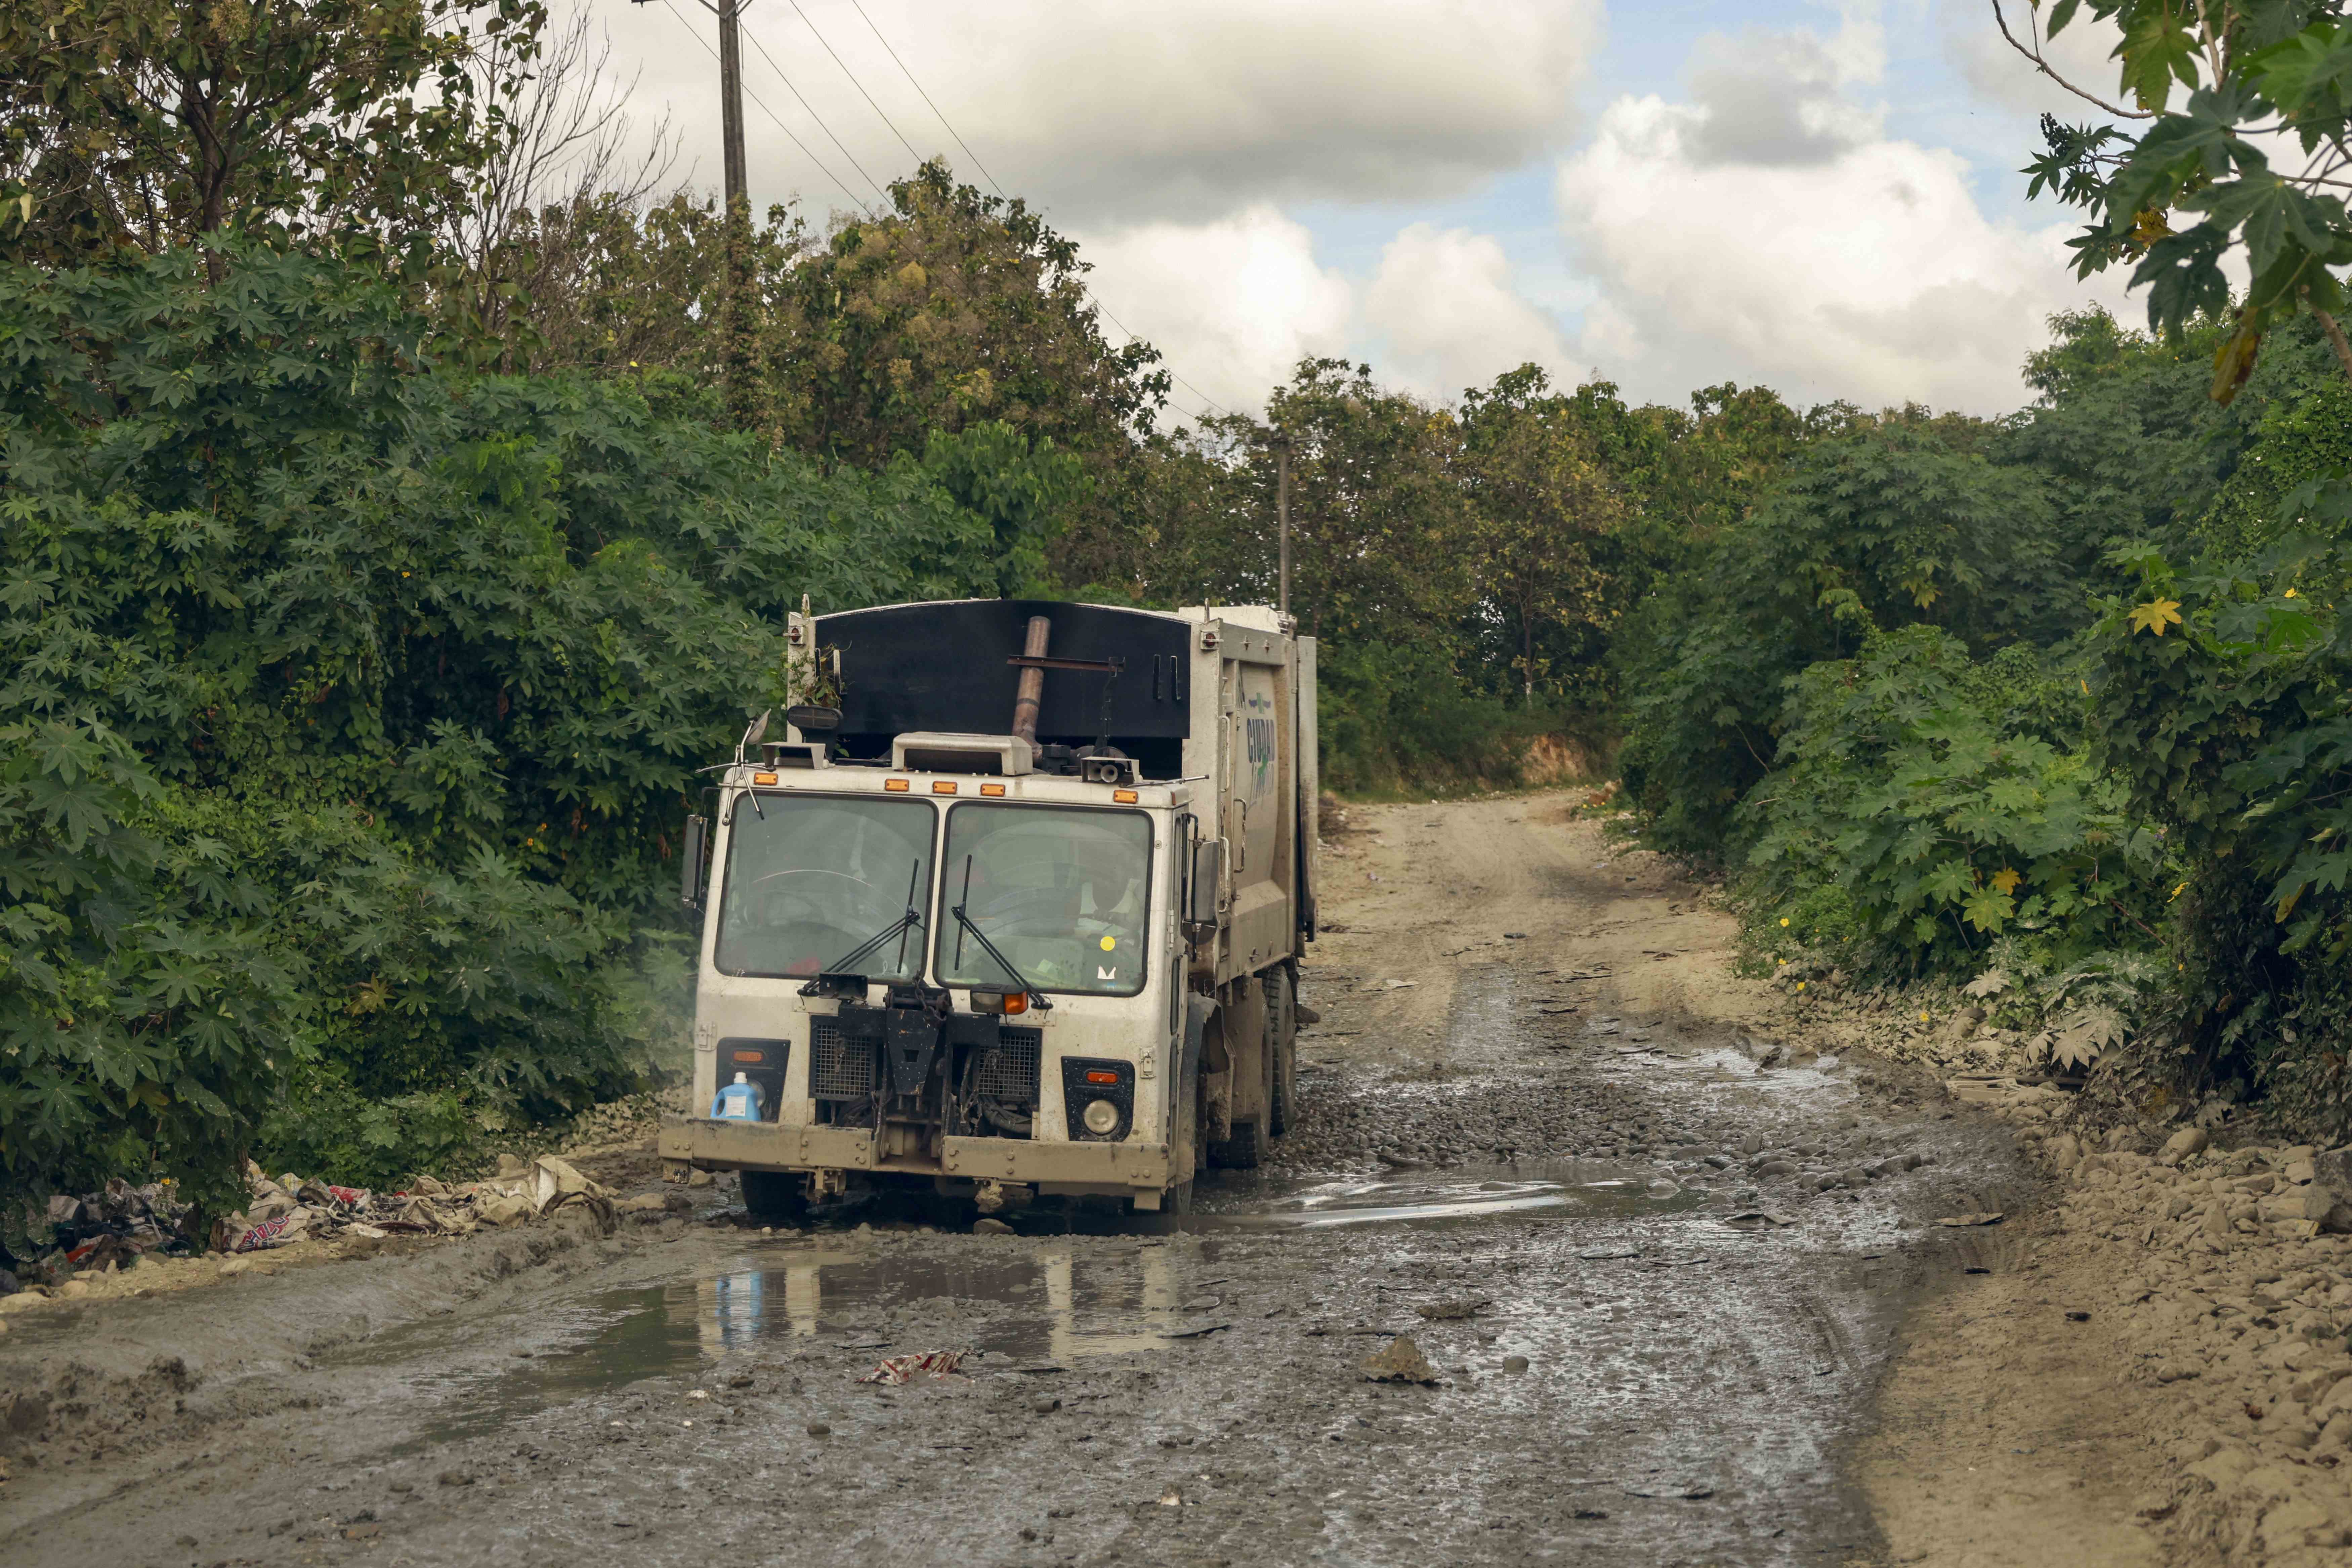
1050,1167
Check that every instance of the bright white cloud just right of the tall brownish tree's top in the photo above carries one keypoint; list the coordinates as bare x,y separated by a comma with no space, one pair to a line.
1234,304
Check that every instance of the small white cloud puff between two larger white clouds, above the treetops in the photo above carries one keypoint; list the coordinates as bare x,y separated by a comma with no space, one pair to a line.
1448,314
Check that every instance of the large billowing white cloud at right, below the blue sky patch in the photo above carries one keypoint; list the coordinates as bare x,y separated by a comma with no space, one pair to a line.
1869,276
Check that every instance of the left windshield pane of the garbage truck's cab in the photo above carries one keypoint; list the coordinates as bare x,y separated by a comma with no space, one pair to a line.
810,878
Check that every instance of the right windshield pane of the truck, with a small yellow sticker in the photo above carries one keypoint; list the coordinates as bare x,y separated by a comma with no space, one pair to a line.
1062,892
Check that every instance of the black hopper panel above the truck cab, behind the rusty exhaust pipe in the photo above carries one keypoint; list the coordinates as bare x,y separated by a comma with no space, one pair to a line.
949,669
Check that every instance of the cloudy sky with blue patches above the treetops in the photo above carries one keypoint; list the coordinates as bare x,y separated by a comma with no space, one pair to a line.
1819,196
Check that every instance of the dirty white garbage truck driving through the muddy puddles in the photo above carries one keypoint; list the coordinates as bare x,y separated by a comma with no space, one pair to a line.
1013,906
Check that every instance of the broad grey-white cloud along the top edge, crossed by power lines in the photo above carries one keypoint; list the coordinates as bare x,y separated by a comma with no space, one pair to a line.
1116,112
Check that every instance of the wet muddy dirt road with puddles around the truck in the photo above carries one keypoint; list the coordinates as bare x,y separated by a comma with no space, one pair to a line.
1657,1287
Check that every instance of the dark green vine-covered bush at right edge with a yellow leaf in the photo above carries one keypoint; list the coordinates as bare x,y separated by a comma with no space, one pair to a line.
2226,711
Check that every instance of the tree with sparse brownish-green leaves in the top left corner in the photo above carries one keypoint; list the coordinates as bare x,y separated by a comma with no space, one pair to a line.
147,123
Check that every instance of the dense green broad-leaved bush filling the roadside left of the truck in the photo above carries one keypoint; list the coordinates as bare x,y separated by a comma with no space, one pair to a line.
349,706
